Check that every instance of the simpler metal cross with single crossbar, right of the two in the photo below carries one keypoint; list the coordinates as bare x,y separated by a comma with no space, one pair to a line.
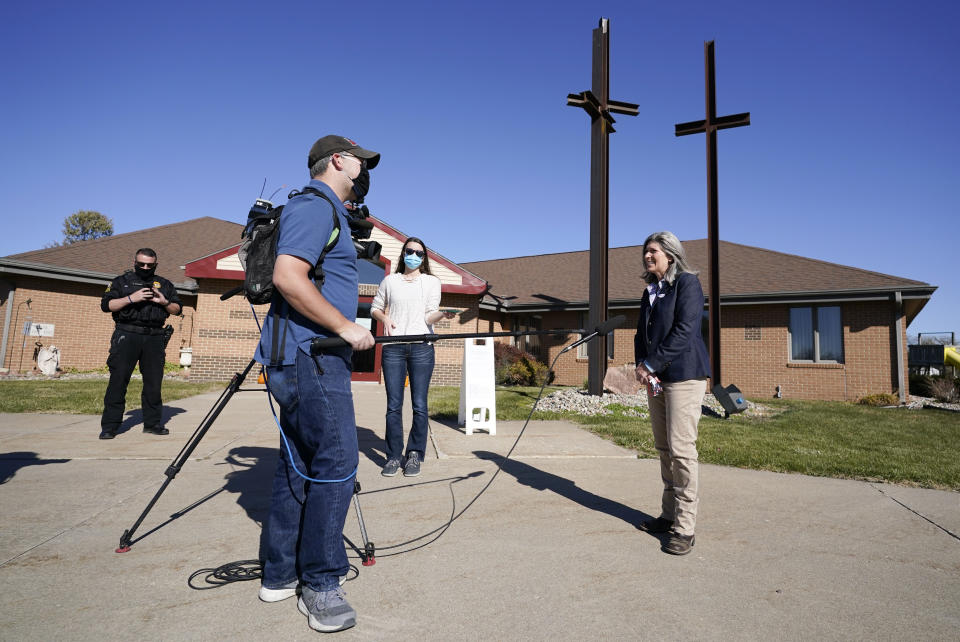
710,126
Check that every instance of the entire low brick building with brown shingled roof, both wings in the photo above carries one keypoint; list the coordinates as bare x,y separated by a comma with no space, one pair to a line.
811,328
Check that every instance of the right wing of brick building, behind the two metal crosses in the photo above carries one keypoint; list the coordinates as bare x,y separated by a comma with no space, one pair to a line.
808,328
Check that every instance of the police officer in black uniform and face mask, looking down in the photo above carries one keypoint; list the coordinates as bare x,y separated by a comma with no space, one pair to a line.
140,302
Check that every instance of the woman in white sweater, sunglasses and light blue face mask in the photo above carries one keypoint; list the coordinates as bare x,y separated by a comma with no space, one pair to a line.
408,302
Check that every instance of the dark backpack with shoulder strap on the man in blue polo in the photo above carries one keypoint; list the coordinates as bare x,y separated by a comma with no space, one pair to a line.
258,252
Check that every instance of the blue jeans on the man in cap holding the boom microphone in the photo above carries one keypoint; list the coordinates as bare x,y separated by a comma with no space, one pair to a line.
305,526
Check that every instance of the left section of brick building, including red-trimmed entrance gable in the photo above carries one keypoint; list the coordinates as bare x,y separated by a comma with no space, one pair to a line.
59,290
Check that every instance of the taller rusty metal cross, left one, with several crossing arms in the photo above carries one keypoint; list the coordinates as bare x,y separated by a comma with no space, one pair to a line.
598,105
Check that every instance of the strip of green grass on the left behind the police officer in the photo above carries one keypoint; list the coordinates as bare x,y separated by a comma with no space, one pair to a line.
84,396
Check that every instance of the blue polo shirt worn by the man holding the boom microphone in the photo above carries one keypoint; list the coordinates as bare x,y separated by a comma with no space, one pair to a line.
305,227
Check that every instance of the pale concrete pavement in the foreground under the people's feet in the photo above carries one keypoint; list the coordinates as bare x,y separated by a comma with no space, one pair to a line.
549,551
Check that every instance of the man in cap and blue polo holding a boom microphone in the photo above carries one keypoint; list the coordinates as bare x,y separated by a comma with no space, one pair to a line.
304,549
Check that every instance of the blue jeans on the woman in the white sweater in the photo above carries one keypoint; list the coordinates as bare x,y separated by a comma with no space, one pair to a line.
399,360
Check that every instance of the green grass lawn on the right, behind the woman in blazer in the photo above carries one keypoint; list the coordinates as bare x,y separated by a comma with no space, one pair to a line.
831,439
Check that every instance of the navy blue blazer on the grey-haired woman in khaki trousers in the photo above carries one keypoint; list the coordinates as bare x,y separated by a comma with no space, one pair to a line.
668,335
